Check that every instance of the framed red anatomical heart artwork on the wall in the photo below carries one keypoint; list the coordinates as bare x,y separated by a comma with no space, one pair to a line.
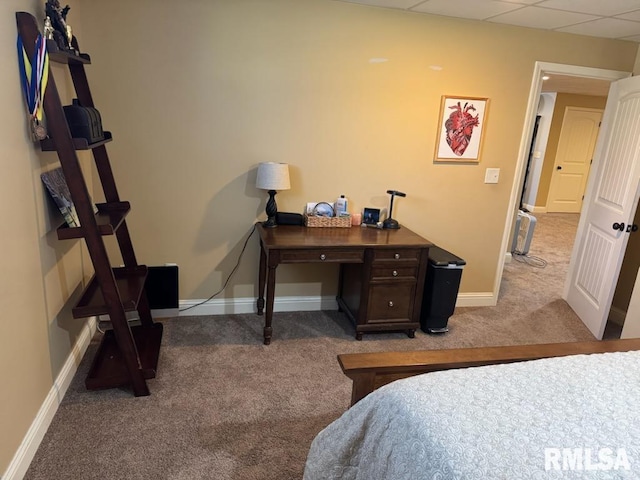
460,129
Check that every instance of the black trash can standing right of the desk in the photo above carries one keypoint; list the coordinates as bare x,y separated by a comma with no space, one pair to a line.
444,272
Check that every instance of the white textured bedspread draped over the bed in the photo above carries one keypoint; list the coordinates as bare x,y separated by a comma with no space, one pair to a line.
569,417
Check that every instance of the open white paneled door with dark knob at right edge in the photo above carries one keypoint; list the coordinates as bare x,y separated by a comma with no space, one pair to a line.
610,201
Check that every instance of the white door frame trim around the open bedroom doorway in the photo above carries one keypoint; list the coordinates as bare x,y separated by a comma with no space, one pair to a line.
540,69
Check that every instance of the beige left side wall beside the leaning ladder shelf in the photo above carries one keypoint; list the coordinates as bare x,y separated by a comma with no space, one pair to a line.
41,275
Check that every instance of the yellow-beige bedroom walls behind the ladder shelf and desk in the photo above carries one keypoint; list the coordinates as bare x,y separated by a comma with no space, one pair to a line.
197,93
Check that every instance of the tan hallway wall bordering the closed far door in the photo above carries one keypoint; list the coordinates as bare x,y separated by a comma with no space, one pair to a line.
563,100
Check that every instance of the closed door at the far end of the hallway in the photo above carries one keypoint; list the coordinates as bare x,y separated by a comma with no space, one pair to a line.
578,135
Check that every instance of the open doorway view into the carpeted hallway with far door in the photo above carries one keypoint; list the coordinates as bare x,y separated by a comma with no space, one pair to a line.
565,130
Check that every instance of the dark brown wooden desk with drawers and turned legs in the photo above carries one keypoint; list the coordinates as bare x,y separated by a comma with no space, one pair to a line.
382,272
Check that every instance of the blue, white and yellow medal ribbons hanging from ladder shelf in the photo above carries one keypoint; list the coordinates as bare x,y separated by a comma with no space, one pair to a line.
34,75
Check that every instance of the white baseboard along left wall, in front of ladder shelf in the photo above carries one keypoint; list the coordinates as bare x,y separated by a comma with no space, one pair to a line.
30,443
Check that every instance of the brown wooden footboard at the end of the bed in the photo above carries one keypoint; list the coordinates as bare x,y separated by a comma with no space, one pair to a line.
369,371
